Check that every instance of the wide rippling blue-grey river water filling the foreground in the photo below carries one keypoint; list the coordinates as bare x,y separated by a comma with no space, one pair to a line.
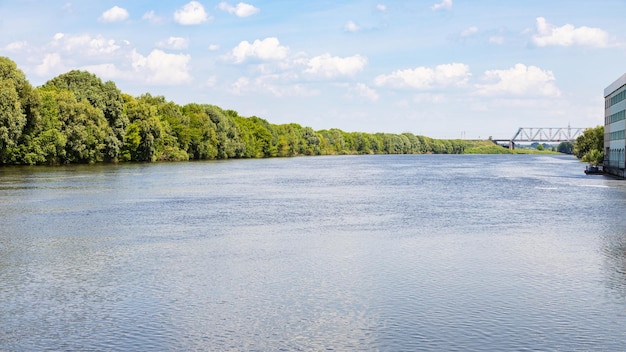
390,253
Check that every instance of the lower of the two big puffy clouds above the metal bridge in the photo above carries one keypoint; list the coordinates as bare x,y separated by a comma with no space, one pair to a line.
519,80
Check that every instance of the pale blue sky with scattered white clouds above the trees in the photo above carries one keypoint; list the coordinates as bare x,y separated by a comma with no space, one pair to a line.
439,68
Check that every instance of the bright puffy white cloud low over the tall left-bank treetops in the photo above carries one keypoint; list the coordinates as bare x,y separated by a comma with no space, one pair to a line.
162,68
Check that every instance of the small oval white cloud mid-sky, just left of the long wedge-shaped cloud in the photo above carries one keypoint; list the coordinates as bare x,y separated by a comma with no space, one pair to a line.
328,66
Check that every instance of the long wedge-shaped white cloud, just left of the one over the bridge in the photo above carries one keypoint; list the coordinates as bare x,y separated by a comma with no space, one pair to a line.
446,75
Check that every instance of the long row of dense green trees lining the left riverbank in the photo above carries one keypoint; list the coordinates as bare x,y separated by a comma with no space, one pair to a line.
77,118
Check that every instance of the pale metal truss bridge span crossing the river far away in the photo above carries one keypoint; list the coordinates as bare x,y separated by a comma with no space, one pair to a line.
542,134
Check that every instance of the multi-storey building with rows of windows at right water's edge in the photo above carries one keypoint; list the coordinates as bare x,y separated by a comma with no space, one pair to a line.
615,127
